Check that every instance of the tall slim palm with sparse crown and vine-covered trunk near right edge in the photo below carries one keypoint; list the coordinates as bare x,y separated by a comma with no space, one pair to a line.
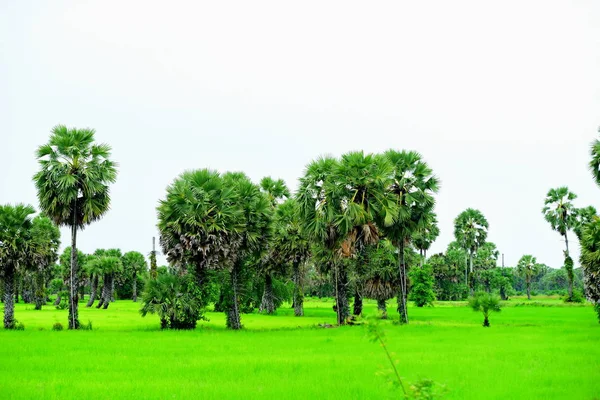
561,214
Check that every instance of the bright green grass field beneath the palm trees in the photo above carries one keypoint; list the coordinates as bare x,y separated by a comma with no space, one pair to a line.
530,352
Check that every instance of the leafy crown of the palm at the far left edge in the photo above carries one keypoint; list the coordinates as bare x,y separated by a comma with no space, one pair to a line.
15,235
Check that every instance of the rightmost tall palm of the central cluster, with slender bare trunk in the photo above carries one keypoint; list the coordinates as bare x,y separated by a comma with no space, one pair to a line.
413,186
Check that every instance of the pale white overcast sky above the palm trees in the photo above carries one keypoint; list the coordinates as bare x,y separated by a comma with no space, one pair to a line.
501,98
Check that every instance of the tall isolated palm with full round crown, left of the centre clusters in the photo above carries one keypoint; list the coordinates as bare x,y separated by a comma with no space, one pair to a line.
73,188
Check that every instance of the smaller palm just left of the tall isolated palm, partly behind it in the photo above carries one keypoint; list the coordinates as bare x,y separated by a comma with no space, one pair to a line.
46,241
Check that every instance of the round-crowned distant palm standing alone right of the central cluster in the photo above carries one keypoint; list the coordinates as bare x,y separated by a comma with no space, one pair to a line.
470,231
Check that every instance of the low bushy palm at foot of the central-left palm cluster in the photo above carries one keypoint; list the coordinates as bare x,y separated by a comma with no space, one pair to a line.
176,299
